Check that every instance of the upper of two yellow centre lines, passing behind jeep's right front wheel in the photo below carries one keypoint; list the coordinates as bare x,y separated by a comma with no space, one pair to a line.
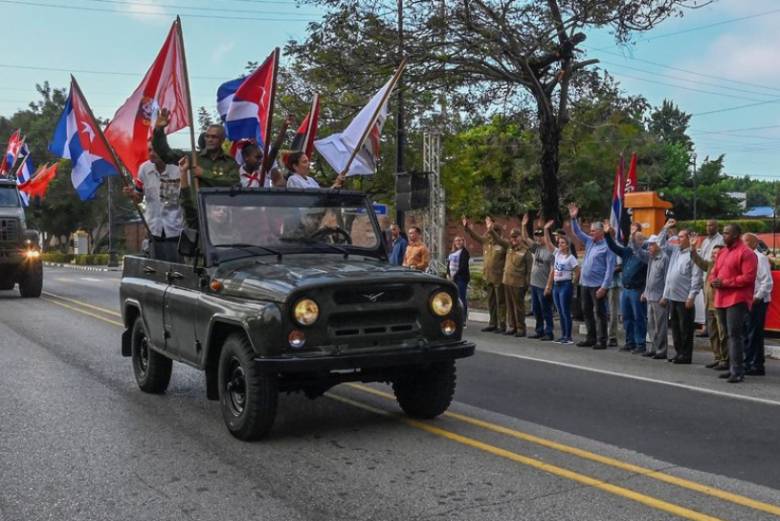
605,460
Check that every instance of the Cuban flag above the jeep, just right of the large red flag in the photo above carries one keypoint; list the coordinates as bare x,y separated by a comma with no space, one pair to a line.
244,105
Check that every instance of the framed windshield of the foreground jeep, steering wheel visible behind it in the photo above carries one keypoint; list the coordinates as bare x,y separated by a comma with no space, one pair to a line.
280,222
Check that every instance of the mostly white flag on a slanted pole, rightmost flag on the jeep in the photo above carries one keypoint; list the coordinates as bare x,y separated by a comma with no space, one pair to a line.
355,151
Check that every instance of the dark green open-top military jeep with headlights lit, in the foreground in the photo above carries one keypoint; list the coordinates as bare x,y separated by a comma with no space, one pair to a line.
290,291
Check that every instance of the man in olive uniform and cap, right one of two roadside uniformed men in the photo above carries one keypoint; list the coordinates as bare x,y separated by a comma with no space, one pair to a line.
516,279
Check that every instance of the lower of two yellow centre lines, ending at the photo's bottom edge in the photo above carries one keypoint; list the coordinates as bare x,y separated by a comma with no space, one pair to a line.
646,500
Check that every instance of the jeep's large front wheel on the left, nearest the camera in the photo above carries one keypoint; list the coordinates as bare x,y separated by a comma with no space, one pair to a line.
248,397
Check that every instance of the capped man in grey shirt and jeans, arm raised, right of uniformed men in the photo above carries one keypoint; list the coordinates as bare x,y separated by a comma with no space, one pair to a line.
540,272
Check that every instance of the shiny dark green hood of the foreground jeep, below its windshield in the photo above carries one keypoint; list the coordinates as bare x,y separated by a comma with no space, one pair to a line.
265,279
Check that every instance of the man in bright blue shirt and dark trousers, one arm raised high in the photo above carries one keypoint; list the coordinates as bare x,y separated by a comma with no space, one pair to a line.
598,267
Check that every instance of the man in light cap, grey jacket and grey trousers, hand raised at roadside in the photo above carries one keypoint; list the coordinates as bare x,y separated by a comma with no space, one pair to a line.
657,315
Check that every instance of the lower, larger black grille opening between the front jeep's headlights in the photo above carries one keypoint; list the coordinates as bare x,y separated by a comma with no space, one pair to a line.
367,323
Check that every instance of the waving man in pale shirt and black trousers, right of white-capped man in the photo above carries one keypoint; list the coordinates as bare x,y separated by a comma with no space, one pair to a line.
683,282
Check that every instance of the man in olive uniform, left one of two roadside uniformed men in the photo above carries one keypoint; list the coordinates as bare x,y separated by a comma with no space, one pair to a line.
494,256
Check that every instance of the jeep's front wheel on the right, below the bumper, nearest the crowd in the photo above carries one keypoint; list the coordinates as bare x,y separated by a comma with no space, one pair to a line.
426,392
